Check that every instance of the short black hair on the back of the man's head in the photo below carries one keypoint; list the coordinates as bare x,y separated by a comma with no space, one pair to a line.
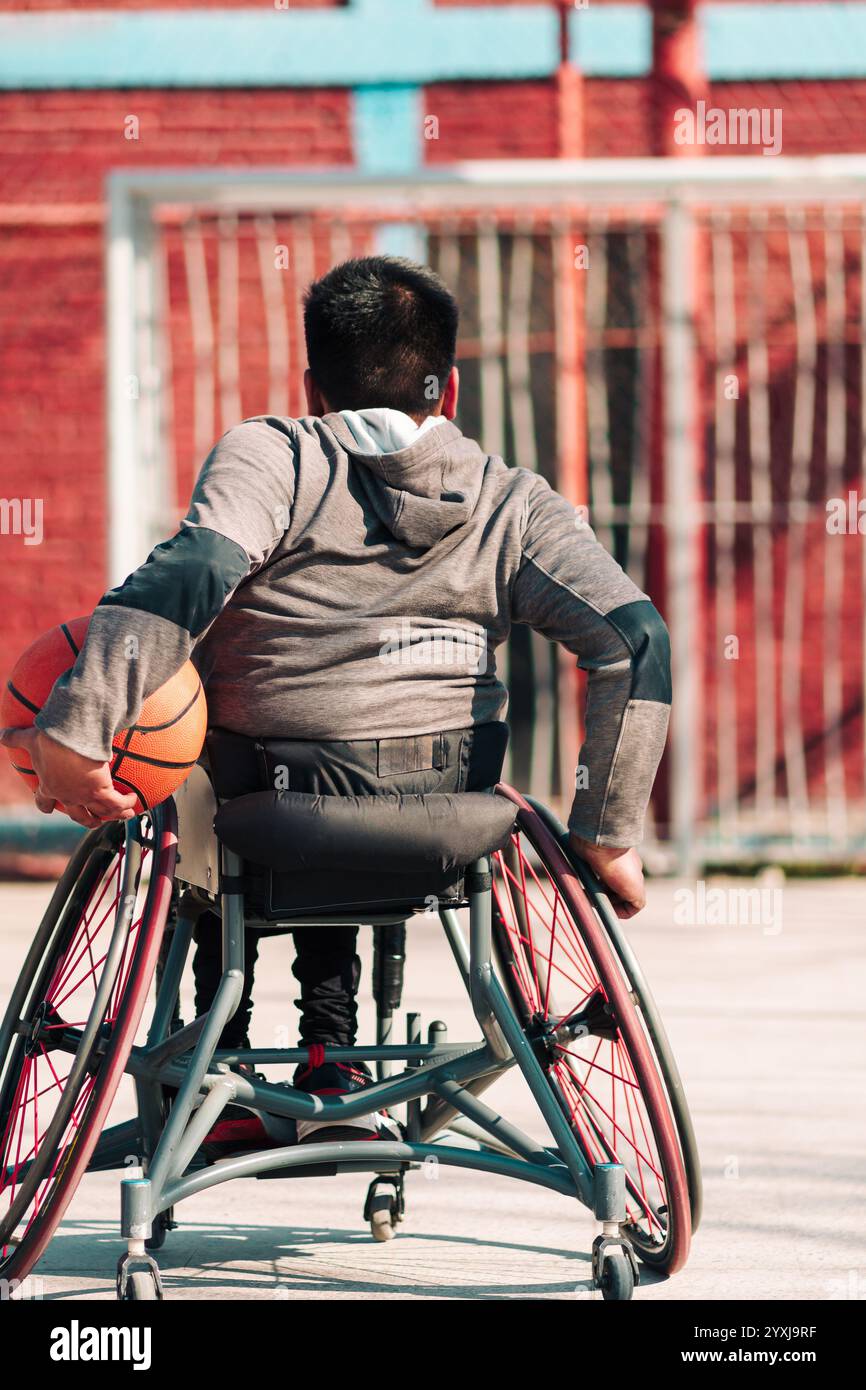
382,332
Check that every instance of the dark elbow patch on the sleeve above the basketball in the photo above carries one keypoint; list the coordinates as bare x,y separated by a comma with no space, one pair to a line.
186,580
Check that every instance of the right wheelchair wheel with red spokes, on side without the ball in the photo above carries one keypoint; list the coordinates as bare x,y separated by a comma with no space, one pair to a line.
576,1004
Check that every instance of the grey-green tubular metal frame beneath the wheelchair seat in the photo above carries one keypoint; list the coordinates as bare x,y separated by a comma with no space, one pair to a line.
446,1071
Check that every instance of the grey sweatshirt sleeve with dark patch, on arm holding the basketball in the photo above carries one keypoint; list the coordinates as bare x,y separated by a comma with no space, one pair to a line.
144,632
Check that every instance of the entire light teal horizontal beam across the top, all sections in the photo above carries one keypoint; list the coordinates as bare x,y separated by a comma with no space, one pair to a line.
411,42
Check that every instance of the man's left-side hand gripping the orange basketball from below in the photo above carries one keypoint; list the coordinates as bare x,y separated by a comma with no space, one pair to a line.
81,785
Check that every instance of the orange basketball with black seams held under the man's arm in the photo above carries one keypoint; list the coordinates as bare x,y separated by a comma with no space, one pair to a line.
152,758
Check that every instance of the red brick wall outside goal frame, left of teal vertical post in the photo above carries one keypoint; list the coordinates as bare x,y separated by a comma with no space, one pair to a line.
55,154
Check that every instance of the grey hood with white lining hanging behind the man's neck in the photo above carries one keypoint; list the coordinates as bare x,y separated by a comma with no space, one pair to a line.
423,482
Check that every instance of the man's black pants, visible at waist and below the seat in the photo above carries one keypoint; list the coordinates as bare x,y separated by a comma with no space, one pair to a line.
327,965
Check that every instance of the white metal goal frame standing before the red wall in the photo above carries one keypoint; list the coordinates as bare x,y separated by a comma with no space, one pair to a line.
679,191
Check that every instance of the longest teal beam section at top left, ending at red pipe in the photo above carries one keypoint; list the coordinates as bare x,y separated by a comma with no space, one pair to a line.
376,44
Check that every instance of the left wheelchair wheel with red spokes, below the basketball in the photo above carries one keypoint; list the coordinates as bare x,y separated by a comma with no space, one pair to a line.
72,1022
